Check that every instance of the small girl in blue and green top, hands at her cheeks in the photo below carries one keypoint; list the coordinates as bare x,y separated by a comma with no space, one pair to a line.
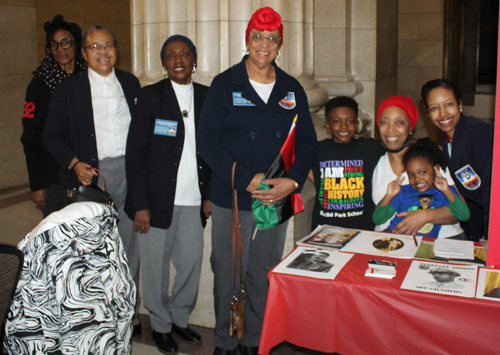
427,189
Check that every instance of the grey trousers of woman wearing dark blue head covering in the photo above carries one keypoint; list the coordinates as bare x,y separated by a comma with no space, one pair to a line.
182,243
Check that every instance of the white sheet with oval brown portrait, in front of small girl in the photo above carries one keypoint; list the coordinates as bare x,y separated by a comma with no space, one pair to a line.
384,244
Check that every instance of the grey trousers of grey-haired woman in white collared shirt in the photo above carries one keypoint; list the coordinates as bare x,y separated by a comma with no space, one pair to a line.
113,171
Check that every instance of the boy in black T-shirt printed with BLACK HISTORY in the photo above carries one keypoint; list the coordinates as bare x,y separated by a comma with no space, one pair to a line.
343,168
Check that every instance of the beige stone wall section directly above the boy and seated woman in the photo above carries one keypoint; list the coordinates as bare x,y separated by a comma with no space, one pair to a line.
356,52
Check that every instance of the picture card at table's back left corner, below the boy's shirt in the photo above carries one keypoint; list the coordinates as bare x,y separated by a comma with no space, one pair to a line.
331,237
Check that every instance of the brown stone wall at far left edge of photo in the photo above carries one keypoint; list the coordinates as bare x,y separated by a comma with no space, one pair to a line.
17,60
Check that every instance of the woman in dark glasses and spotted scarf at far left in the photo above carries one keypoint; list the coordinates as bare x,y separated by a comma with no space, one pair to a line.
63,60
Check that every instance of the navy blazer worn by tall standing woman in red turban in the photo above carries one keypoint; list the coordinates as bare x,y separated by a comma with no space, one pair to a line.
236,125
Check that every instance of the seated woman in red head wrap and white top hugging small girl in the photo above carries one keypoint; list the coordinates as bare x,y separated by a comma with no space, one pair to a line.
397,117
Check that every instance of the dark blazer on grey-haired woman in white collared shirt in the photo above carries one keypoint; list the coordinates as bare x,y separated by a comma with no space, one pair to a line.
70,130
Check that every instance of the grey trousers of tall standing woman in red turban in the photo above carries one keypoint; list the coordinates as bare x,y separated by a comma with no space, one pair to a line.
258,257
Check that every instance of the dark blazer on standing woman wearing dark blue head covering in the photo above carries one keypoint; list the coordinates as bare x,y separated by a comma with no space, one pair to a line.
152,160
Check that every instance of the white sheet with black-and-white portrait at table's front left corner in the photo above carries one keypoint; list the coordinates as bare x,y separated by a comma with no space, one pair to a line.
320,264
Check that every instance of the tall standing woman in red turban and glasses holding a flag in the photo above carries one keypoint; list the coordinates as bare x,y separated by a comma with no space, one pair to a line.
246,119
